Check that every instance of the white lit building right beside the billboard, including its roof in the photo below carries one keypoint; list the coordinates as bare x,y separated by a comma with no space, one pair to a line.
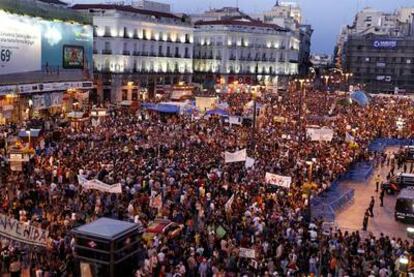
137,48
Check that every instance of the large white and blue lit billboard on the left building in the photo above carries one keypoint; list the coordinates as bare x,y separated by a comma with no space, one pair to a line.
30,44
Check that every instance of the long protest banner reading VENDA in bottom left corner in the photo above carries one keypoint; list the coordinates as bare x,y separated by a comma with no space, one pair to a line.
25,233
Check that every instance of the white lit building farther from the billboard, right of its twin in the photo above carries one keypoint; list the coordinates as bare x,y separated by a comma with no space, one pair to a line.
244,51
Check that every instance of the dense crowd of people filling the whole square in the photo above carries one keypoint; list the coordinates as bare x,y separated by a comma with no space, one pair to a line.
181,159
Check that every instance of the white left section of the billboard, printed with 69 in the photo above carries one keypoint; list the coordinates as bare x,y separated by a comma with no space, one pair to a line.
20,45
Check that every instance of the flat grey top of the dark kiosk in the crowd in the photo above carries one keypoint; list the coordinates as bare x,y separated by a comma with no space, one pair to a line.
106,228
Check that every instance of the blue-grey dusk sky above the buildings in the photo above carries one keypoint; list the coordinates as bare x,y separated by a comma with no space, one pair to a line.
325,16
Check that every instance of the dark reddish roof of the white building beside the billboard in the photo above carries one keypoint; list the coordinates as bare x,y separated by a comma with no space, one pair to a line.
124,8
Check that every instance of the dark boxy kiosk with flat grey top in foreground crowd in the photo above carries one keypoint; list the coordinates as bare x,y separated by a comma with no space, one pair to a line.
107,247
